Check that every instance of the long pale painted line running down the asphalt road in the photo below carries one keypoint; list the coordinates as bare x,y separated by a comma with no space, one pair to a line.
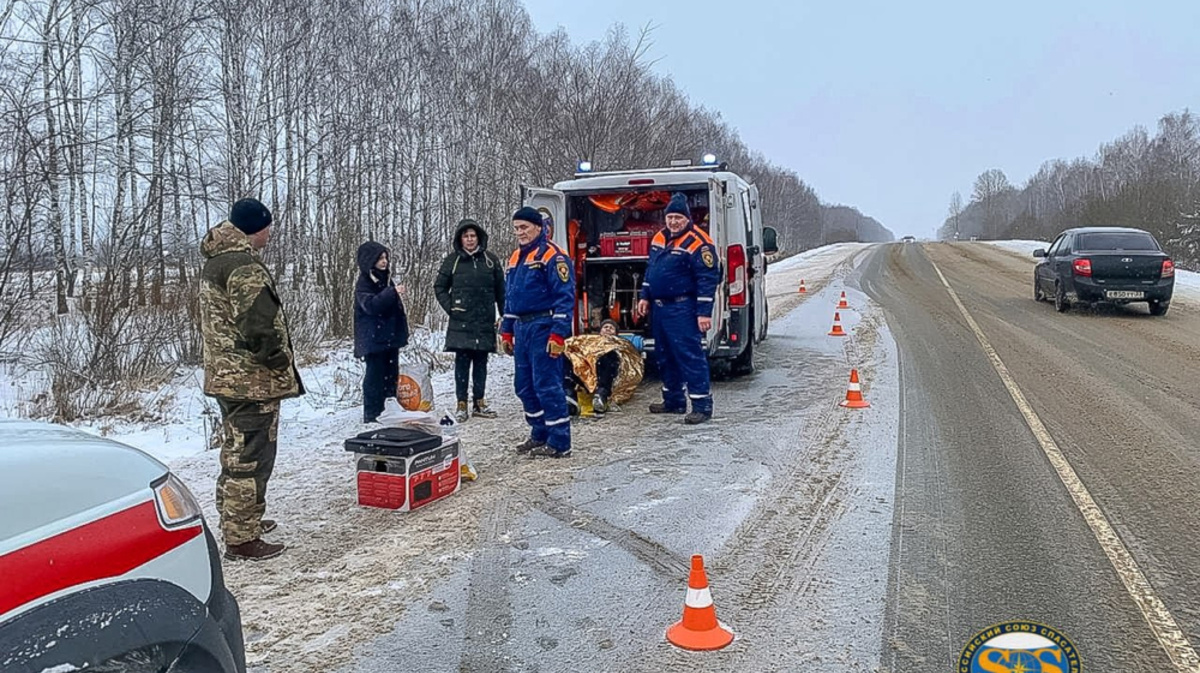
1168,633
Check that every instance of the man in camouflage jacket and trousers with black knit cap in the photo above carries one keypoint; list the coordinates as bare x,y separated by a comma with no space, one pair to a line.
249,368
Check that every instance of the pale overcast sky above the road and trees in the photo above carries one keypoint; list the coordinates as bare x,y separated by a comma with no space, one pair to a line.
893,106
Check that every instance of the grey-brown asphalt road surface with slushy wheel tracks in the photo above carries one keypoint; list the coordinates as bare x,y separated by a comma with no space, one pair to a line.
986,530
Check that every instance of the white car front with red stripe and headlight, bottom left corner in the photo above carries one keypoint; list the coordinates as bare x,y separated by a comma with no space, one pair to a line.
106,563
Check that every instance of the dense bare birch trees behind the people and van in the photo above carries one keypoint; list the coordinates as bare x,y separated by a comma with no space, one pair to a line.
129,127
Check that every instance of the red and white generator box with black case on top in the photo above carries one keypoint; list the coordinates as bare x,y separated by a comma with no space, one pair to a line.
403,468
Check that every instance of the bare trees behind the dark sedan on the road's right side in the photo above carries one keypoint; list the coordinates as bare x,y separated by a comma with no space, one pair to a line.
1149,182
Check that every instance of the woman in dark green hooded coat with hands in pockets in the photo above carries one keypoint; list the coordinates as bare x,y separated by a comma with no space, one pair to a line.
471,291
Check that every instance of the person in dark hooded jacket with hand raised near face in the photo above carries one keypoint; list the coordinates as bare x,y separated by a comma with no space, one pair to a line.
381,328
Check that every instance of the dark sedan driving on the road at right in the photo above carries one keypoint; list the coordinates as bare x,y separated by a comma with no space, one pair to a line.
1112,265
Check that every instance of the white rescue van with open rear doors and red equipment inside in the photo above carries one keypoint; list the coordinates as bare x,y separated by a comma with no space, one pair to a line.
607,223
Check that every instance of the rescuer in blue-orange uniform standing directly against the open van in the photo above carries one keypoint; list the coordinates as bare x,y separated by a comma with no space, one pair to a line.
680,289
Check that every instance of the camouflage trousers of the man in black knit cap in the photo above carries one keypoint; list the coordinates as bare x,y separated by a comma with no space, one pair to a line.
248,459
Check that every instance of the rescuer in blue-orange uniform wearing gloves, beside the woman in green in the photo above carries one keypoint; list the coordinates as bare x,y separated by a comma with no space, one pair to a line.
539,298
